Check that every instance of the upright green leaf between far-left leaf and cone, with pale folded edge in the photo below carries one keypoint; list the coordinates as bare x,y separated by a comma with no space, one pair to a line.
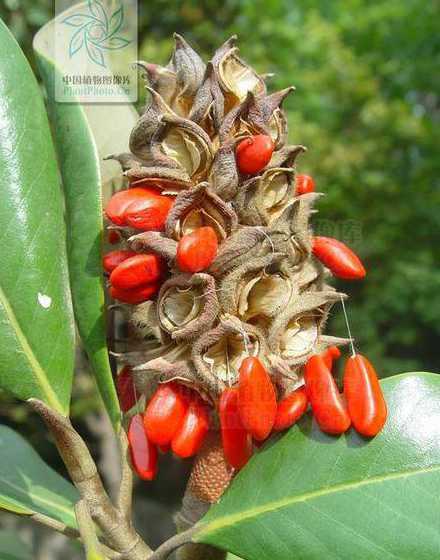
85,134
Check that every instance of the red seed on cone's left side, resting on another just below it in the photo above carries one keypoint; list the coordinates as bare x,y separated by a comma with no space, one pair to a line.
137,271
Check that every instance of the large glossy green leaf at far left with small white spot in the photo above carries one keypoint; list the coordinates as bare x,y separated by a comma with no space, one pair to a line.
36,324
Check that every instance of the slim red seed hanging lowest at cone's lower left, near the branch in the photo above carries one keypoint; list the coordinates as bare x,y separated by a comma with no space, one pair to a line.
142,452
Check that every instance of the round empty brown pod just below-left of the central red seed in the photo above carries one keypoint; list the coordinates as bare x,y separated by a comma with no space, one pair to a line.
187,305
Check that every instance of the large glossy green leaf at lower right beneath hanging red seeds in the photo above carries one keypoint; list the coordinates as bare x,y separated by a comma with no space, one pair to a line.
311,496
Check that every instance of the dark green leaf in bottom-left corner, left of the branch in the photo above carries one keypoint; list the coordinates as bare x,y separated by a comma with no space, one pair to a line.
28,485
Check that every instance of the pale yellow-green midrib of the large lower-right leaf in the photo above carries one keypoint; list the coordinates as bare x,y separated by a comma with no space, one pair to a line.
235,518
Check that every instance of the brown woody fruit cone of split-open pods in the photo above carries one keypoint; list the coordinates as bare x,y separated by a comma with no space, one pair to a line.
213,193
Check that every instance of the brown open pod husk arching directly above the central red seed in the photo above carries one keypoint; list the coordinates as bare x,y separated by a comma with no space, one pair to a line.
197,207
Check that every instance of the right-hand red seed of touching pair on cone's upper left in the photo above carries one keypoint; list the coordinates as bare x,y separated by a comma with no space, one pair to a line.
149,214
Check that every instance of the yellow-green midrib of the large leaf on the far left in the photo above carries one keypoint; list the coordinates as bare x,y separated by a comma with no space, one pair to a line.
35,366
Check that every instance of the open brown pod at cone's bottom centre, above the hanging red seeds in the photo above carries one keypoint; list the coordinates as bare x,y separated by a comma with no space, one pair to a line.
232,340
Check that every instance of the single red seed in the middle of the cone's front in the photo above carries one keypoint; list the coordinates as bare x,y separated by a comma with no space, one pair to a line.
197,250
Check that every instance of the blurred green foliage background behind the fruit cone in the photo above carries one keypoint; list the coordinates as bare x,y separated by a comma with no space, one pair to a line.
367,107
